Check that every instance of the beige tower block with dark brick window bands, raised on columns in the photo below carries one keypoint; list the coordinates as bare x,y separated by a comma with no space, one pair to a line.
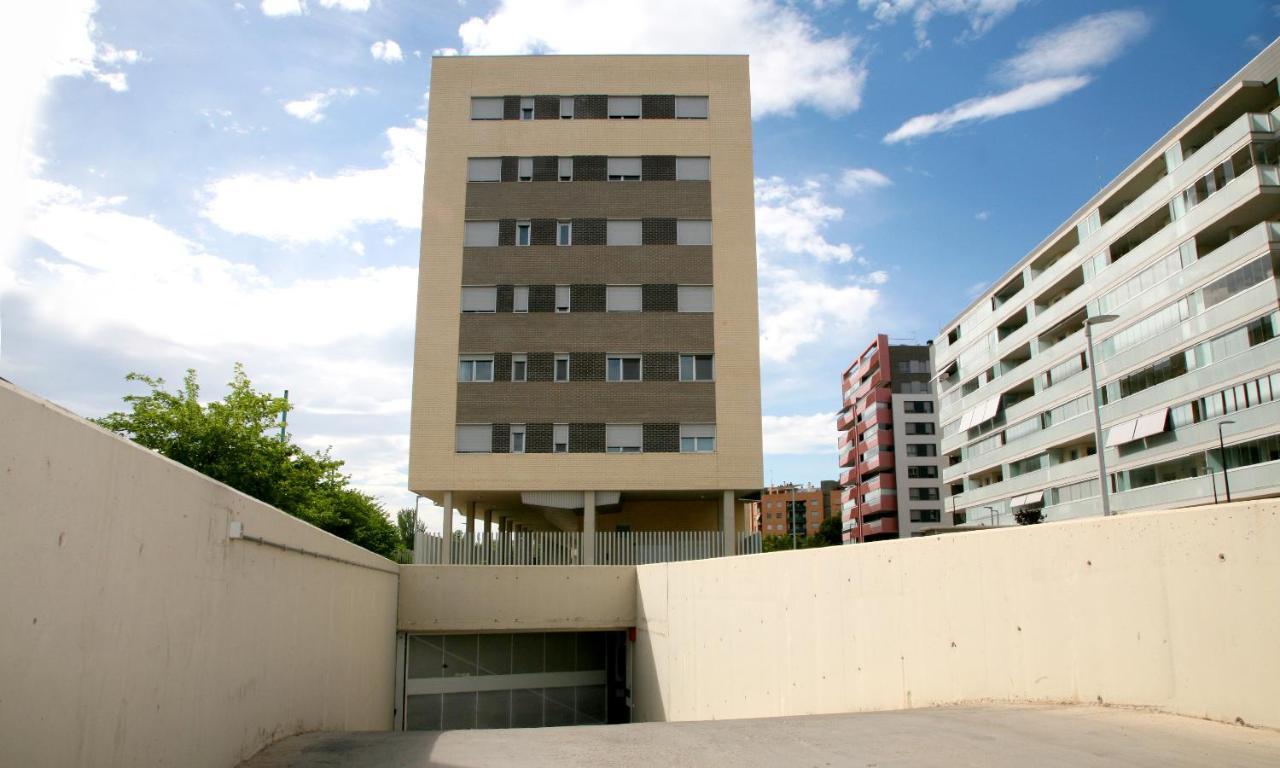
587,354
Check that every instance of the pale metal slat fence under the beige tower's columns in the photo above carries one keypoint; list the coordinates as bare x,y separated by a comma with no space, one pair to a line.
565,548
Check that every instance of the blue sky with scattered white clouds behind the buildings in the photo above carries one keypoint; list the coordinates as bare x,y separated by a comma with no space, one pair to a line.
200,184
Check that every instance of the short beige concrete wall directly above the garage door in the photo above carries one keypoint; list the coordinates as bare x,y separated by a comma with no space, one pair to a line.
516,598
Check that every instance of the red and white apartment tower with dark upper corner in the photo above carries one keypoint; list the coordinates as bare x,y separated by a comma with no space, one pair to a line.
889,445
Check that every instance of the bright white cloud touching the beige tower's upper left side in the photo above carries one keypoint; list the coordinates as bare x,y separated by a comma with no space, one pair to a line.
319,209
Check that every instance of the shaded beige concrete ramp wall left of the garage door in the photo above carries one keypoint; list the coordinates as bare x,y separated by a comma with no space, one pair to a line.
134,633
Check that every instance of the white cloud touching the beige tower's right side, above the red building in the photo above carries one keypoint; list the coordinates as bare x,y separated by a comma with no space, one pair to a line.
798,305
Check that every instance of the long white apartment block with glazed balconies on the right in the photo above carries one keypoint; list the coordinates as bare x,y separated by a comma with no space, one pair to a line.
1182,250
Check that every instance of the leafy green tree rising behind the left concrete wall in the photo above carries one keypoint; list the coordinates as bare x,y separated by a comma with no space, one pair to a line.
235,441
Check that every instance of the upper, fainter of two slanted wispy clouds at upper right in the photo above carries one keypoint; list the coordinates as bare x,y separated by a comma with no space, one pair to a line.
1087,44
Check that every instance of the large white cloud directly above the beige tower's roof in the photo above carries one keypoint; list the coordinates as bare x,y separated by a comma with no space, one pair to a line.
792,63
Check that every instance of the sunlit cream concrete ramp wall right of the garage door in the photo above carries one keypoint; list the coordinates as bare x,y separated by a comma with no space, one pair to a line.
1178,611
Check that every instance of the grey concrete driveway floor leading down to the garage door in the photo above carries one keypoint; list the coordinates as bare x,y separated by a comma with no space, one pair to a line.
1046,737
